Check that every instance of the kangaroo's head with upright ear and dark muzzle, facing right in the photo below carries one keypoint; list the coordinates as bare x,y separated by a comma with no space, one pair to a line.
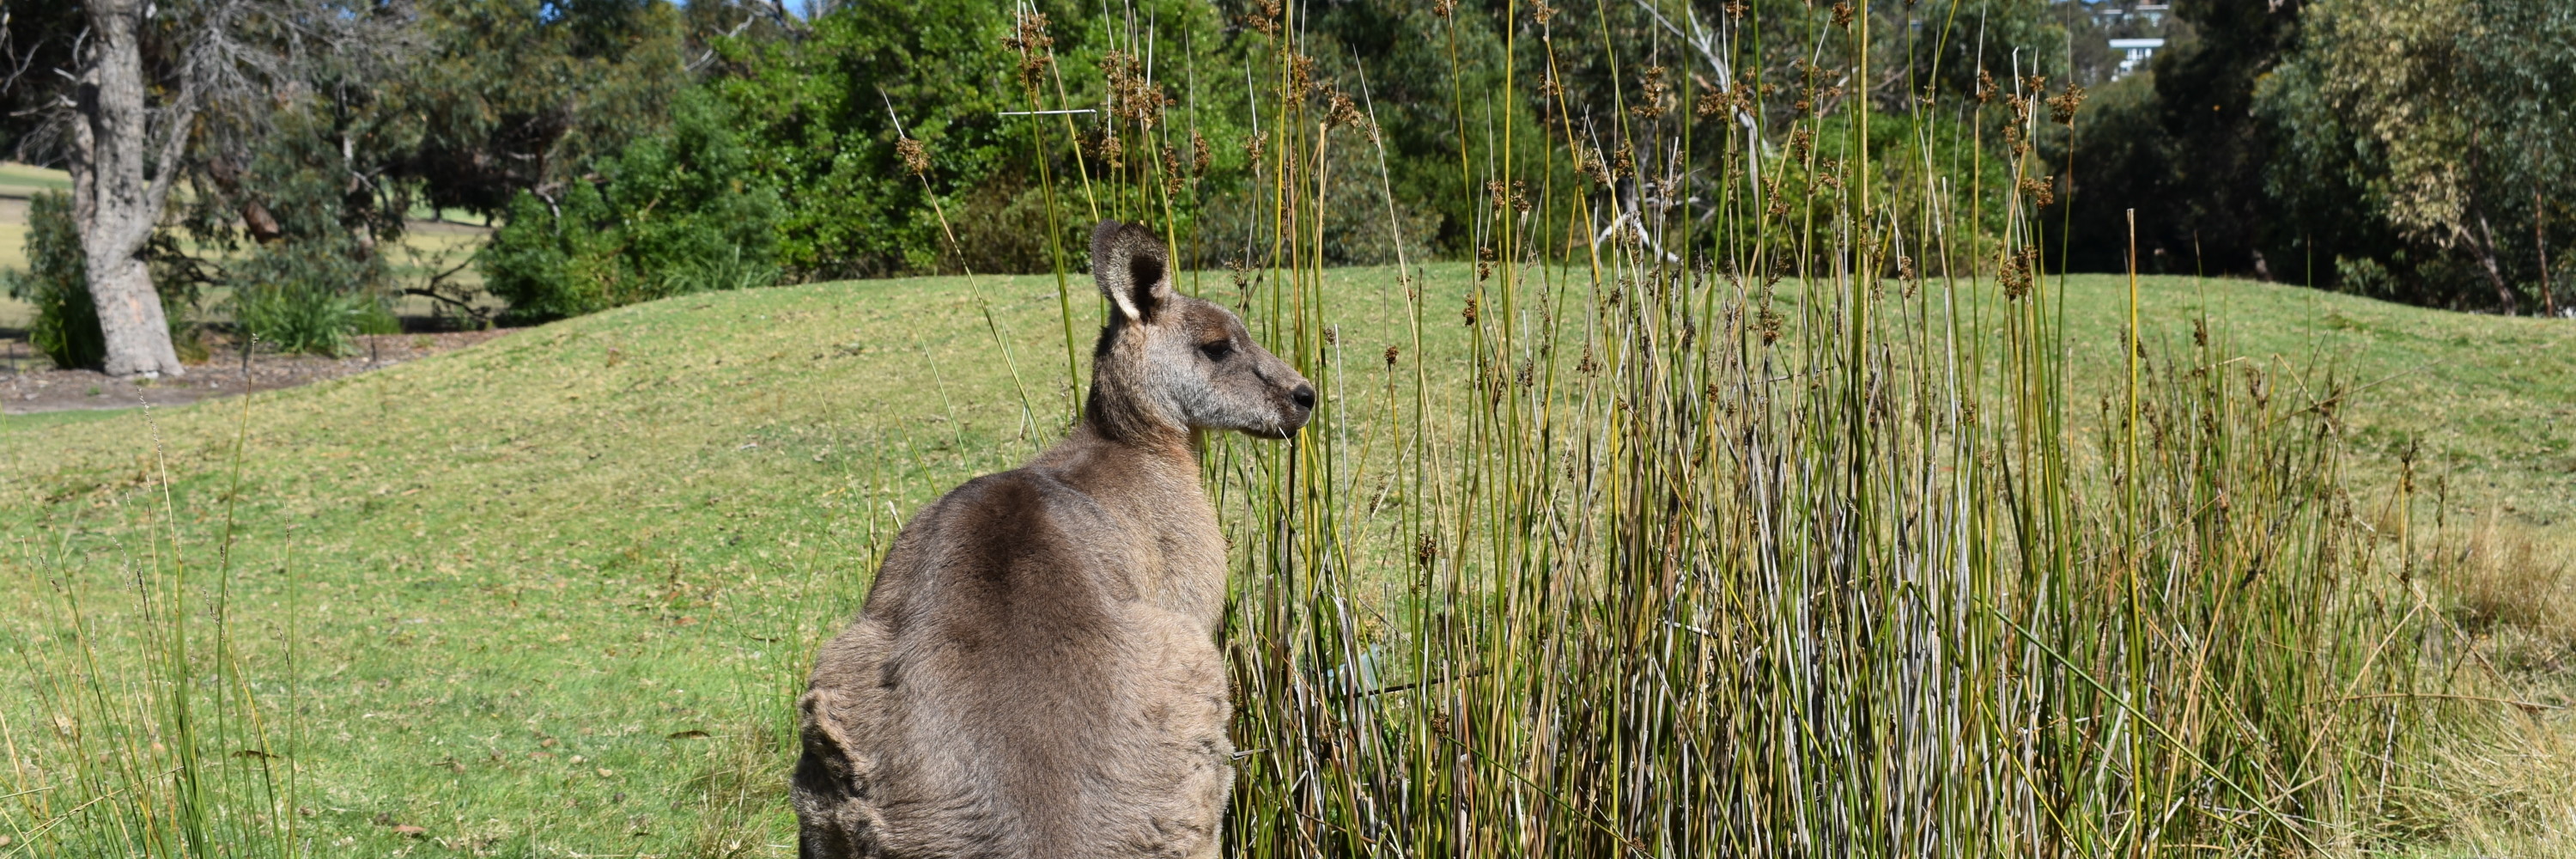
1171,365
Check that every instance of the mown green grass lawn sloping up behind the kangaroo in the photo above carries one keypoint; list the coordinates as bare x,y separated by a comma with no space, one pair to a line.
553,595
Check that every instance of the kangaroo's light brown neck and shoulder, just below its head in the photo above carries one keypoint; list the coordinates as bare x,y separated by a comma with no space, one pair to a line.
1150,484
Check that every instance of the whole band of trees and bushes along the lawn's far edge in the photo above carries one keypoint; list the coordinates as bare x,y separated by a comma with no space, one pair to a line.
645,148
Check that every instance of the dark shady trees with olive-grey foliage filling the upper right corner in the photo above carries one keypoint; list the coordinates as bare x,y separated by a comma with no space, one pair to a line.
2405,151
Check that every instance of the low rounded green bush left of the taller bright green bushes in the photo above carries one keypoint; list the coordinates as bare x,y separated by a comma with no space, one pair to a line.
671,215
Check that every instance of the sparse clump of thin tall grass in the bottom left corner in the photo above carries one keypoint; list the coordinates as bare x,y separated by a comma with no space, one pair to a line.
146,731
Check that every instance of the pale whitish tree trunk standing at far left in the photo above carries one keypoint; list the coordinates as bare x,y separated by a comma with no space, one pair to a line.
117,195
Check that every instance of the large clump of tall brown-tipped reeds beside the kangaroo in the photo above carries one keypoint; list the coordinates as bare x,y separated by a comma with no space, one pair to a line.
1763,517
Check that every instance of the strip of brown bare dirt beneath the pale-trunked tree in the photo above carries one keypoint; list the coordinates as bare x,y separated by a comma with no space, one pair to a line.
53,391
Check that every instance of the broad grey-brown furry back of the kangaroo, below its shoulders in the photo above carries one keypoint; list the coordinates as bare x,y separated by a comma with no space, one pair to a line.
983,700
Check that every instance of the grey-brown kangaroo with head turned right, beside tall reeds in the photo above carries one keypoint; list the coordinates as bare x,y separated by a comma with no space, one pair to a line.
1037,672
